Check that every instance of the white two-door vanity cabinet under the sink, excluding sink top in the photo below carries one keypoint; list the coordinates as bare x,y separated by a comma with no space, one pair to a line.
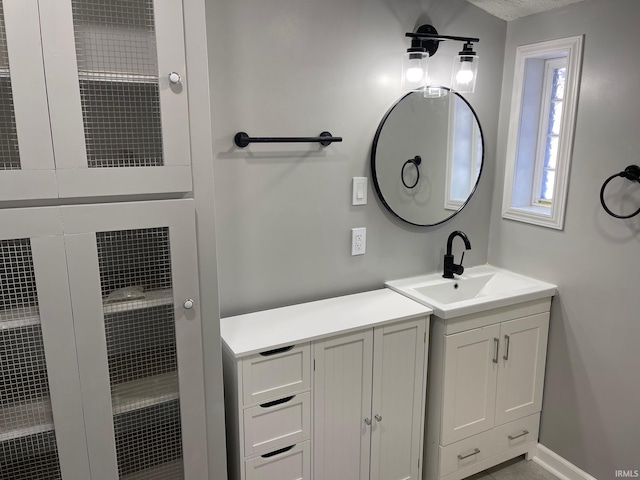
485,388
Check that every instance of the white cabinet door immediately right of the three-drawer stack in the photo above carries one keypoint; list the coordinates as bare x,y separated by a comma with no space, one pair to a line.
342,406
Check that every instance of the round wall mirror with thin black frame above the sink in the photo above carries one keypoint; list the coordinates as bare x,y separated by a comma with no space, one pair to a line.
427,156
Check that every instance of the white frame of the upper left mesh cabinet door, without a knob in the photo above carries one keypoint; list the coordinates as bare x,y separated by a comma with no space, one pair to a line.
36,178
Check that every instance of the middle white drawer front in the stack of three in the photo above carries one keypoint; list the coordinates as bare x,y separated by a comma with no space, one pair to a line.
277,424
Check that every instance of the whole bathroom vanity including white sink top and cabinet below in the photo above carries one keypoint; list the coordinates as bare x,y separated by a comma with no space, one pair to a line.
486,368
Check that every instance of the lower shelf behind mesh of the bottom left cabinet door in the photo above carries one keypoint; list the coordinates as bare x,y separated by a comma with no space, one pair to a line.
40,408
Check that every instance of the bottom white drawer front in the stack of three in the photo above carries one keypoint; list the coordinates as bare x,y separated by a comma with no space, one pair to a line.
289,464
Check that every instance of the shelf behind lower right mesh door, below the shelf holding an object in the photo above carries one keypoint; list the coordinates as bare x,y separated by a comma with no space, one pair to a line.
130,396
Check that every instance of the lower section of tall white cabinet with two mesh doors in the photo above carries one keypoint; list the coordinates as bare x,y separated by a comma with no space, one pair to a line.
103,374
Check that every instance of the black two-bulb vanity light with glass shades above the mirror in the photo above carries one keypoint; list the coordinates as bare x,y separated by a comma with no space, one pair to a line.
425,42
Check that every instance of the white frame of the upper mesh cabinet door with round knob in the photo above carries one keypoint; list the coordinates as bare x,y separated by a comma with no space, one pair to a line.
74,177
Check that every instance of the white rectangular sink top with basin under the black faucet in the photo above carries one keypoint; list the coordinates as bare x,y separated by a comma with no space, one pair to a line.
478,289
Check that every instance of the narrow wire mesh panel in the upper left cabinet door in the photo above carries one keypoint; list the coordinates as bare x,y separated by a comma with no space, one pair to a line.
9,153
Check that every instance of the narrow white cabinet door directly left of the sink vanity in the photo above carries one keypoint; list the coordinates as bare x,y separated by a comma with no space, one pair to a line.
397,408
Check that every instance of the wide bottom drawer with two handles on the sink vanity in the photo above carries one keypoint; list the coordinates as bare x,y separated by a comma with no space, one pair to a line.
478,448
